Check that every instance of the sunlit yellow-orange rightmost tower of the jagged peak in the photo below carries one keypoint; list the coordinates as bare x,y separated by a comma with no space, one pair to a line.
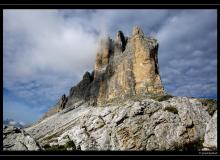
145,63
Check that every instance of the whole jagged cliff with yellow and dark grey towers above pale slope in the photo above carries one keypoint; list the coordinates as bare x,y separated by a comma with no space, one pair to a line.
124,67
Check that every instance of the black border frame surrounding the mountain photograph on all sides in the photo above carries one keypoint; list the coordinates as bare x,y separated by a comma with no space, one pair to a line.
160,154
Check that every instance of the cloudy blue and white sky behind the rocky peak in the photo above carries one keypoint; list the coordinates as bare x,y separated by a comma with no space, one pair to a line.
46,52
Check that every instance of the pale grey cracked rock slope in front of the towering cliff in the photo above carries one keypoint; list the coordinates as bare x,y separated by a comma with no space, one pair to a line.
178,123
